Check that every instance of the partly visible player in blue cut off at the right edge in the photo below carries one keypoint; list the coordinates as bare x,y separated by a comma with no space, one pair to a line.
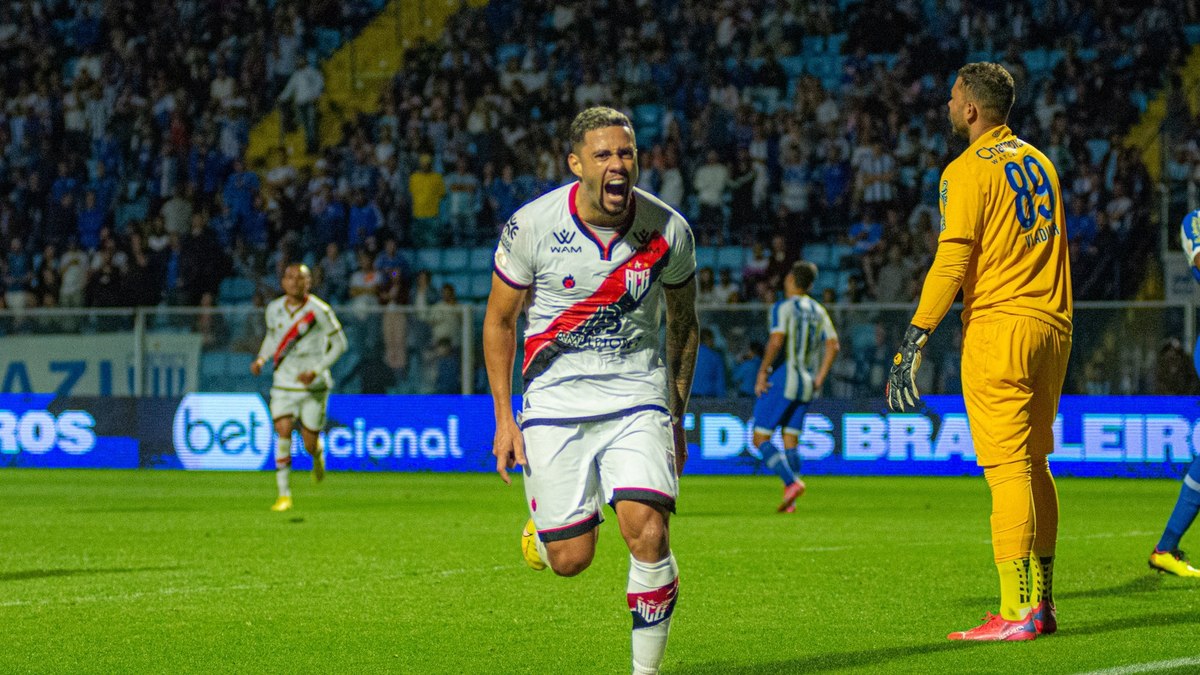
1167,555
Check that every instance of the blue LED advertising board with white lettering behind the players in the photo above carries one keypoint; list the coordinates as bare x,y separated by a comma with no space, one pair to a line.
1101,437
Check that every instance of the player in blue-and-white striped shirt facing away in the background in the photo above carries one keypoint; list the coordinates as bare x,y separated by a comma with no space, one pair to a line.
801,331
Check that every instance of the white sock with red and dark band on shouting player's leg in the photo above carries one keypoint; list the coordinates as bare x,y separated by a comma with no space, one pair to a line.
651,593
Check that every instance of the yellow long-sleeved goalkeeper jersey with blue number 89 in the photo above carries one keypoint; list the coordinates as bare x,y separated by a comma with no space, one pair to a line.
1001,198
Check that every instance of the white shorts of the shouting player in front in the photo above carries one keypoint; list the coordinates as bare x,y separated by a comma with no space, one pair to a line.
574,469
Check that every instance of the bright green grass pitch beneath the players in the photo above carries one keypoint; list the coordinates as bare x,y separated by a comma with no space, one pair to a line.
173,572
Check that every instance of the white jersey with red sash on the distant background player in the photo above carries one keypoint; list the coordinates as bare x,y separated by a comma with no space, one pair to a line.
302,339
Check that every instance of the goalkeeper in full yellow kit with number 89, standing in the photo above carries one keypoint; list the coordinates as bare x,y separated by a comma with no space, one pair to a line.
1004,242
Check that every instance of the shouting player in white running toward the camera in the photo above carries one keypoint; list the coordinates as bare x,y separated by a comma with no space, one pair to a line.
602,420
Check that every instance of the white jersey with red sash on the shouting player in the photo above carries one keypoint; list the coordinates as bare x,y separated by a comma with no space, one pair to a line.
592,339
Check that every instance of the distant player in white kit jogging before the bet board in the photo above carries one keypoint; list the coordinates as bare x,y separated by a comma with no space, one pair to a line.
304,339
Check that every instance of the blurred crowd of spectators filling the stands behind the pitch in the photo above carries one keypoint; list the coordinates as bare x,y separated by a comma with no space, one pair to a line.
779,126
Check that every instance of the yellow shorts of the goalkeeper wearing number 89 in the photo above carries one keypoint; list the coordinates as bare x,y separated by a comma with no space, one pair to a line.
1013,369
